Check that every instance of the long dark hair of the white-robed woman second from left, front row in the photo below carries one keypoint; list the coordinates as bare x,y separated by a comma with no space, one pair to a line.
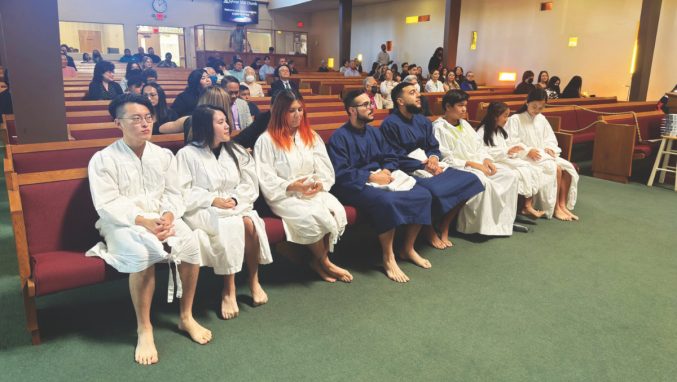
202,123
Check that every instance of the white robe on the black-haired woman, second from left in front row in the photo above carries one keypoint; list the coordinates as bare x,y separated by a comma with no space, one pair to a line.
221,232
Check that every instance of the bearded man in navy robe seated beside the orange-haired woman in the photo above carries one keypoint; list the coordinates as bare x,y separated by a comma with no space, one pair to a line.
357,152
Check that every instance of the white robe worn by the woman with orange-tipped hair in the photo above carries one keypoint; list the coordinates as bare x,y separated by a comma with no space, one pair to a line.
305,220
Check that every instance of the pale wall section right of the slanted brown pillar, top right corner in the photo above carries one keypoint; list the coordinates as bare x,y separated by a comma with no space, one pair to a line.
664,67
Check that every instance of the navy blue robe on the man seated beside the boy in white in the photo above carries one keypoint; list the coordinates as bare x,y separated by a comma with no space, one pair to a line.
448,188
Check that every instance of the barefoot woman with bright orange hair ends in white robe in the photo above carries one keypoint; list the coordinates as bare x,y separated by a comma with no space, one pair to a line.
295,175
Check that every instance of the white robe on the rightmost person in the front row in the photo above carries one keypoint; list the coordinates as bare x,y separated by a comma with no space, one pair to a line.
536,133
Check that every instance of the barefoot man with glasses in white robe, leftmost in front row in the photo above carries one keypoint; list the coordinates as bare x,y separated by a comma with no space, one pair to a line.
135,192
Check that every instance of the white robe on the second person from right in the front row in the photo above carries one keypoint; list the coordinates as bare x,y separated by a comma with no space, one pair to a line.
531,177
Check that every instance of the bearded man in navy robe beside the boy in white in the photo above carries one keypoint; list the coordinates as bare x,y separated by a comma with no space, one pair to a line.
407,130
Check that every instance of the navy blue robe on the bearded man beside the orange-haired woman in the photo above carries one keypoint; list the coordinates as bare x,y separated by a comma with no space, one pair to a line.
354,153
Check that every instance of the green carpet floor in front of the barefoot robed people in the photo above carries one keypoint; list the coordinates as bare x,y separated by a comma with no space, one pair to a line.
589,301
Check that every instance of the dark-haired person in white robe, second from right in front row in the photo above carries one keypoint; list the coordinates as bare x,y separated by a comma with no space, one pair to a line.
504,151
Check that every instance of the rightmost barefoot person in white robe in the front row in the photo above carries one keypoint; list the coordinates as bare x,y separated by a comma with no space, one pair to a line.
530,128
